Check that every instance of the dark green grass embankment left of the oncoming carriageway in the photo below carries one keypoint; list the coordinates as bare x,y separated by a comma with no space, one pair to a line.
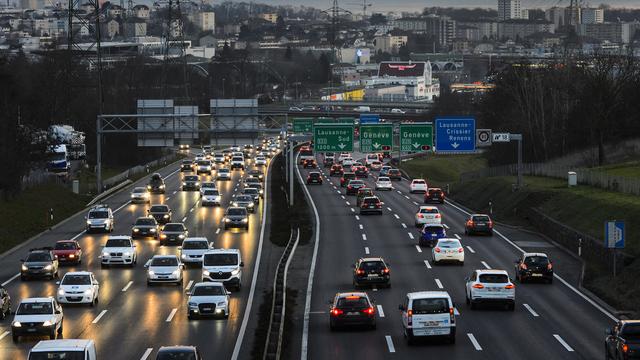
28,213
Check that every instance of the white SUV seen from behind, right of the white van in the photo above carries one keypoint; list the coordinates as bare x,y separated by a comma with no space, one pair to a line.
490,286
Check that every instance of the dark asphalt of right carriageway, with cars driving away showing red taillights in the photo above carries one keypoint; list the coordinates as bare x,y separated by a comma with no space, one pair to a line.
550,321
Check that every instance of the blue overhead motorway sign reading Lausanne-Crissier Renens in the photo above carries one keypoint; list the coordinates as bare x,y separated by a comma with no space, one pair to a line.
455,134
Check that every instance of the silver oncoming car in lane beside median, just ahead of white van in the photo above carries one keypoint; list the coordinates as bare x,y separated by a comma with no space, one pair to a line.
208,299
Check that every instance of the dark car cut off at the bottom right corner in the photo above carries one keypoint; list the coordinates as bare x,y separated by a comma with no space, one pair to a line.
623,341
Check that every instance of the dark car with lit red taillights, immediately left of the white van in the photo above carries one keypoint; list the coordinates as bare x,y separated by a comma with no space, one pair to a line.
353,309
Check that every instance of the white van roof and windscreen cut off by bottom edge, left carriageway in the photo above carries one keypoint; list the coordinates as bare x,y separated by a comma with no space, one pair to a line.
69,349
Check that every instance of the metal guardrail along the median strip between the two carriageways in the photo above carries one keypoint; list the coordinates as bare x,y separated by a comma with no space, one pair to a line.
273,343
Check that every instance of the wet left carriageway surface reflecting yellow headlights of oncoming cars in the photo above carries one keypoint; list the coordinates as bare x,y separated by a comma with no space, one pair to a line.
133,320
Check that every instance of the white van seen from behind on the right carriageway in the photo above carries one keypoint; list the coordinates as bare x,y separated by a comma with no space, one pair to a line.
428,314
